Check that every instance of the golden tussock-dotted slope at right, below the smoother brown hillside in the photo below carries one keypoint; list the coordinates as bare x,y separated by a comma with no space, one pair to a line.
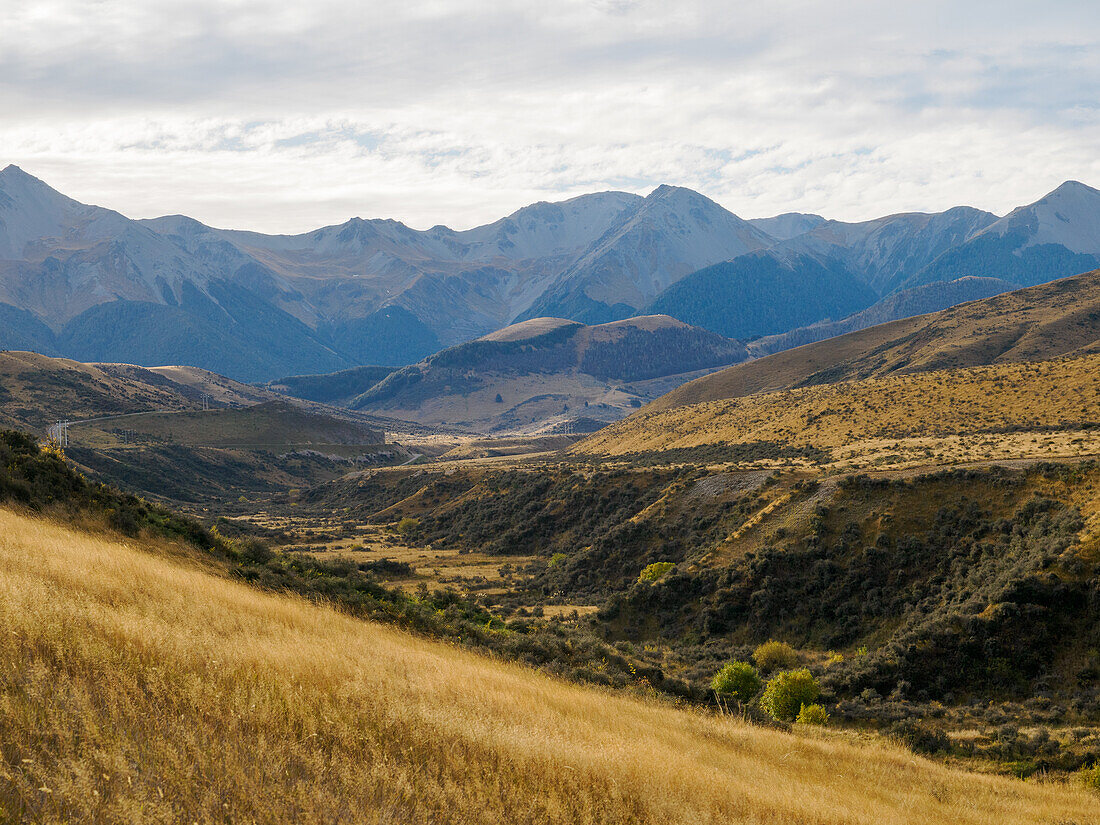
953,415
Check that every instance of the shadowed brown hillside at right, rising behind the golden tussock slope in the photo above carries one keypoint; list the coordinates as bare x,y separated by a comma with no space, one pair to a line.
1040,323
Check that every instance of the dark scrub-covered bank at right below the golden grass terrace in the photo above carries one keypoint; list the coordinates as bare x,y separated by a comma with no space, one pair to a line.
943,607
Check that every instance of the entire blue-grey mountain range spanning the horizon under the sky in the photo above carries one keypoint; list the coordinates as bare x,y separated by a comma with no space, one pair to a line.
89,283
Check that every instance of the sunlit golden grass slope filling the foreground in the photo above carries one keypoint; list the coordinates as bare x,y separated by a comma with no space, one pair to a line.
139,688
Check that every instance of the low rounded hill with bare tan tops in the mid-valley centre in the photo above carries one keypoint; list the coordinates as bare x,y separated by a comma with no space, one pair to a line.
548,373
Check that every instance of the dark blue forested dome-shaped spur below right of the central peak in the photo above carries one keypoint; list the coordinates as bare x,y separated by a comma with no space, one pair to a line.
764,293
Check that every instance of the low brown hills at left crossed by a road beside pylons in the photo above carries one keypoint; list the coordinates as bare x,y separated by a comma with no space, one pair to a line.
185,434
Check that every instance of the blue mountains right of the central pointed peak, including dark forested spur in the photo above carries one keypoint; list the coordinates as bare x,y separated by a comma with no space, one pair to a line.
905,260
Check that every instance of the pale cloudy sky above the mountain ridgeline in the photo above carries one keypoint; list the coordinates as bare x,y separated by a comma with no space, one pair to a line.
282,117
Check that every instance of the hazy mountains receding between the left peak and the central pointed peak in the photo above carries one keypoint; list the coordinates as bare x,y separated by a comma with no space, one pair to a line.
446,287
